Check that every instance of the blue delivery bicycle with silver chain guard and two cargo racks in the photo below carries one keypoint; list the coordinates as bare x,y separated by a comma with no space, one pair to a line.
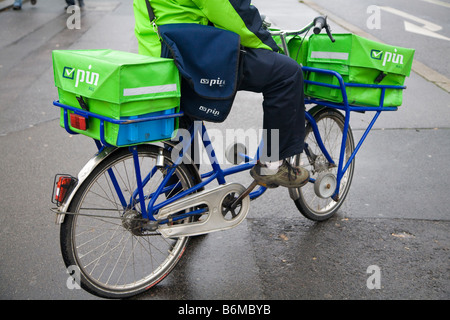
125,223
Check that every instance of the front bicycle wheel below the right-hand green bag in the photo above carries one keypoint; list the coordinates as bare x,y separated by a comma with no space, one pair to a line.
330,123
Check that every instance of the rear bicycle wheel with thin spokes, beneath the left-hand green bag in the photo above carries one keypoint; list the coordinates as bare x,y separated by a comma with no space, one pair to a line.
113,259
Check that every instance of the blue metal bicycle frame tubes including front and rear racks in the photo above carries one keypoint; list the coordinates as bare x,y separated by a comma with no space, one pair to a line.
219,174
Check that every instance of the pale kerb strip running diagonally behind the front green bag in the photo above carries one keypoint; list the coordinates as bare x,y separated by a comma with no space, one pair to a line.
418,67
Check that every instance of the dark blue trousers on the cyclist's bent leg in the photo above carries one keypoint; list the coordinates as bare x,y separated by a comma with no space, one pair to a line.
280,80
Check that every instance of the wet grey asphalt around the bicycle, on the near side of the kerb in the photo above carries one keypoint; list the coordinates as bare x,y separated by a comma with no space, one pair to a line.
396,215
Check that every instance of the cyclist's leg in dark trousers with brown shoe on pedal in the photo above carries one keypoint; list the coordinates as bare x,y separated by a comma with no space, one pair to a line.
280,79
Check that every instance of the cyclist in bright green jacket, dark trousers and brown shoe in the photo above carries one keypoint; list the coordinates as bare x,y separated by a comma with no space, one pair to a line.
278,77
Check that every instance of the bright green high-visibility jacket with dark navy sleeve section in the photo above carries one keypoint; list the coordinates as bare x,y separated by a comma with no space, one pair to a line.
238,16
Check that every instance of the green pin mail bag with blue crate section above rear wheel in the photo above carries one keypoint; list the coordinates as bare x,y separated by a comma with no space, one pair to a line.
121,86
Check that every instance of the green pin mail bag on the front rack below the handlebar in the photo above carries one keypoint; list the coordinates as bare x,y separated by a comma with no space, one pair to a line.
358,60
